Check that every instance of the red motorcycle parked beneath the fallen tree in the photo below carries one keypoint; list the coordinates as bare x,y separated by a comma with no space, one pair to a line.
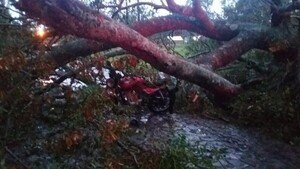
134,90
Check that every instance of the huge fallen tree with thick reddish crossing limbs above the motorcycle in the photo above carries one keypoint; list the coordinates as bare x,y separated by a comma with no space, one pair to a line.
102,33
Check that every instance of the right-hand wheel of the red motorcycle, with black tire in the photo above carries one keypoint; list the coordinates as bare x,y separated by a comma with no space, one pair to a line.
160,101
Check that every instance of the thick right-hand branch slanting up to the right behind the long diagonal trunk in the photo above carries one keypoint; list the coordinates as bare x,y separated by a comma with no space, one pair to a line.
259,37
